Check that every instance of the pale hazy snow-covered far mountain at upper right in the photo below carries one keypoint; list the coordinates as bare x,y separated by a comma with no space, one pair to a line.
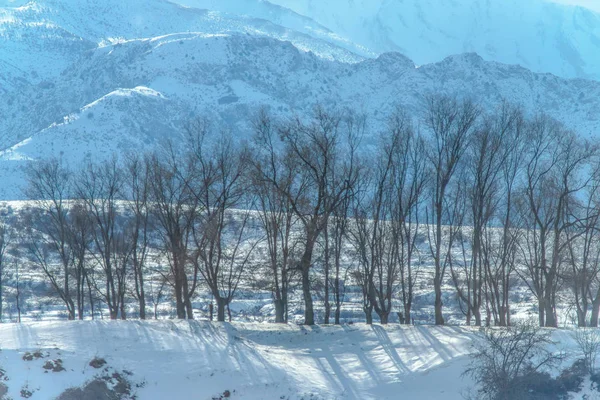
540,35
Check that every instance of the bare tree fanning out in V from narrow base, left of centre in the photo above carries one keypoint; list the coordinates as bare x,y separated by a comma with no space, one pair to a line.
223,243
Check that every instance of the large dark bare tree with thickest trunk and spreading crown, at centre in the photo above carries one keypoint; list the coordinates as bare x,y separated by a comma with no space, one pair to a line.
321,156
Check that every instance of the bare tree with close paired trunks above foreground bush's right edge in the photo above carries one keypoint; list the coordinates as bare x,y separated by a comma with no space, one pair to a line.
554,162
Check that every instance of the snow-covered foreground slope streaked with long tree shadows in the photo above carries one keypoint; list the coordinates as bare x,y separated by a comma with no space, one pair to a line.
182,360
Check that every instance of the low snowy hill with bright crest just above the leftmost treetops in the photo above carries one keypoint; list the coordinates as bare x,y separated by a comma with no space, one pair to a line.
90,134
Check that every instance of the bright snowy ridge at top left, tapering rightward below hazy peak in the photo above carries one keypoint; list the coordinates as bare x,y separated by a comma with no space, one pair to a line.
43,37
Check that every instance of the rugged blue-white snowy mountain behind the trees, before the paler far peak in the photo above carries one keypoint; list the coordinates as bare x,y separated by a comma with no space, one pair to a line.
83,79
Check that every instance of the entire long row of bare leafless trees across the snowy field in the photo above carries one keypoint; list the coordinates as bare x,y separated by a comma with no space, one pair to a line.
489,200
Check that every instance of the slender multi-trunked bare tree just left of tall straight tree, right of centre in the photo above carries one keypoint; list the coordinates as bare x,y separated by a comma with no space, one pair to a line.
386,219
